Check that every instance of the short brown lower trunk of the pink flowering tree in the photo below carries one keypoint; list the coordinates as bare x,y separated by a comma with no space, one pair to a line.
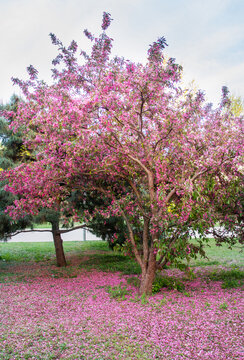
148,274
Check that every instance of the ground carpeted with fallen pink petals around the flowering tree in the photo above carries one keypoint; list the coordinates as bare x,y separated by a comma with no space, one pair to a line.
76,318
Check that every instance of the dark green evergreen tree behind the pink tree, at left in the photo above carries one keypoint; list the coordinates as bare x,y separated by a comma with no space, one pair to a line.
13,152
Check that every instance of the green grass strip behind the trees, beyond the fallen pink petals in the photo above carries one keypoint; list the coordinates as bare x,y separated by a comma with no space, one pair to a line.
96,254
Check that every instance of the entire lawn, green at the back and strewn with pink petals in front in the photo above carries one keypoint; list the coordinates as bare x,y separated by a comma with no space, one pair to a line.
91,310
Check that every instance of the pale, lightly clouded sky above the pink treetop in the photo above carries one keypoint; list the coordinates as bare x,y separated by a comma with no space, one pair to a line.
205,36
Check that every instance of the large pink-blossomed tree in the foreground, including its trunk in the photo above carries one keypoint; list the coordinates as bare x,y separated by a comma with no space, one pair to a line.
130,132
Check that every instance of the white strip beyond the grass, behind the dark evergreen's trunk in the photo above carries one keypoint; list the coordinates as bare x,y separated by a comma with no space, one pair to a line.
35,236
